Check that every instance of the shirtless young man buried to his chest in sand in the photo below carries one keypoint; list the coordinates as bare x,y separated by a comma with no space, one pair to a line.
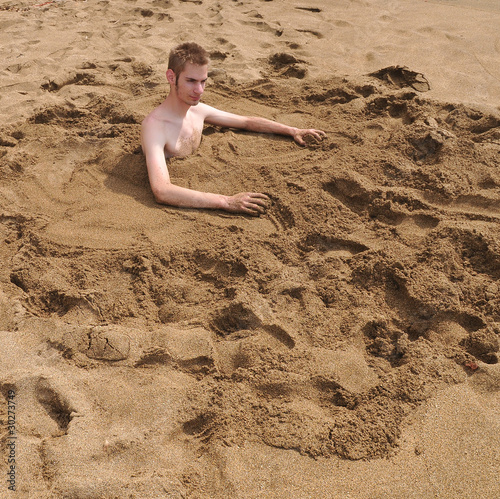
174,128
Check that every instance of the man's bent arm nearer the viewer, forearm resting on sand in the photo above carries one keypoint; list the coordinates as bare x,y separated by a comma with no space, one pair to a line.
167,193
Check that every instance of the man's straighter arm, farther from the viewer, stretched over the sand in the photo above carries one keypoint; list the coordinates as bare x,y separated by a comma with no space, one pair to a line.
260,125
